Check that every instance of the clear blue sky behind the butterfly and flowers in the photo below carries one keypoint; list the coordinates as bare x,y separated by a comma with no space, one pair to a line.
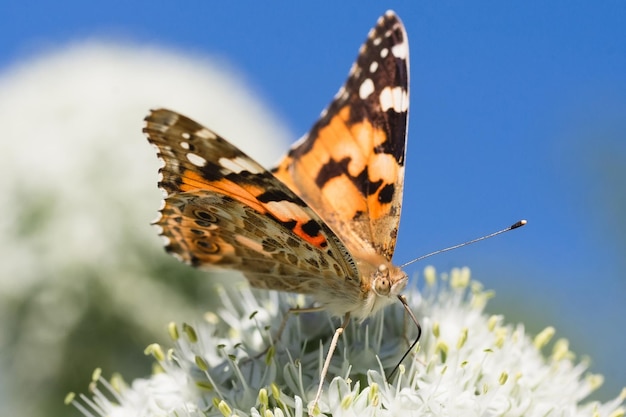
517,111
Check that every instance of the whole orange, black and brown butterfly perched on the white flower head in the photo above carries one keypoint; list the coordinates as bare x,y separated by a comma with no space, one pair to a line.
324,221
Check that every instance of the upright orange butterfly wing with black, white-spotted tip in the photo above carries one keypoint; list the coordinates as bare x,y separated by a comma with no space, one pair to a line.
350,167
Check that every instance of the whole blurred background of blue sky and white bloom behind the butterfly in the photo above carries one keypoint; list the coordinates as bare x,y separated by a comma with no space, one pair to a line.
517,111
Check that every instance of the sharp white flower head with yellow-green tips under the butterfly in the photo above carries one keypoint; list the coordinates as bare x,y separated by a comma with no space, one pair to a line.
466,364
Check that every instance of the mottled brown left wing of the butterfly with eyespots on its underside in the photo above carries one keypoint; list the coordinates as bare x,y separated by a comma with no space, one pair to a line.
222,209
